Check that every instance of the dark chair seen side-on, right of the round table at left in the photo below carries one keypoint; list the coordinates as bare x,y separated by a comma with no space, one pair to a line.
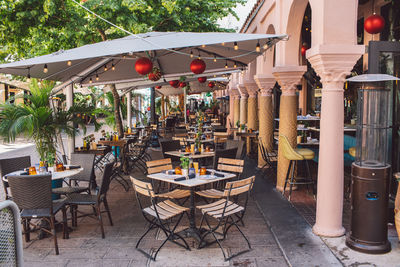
74,200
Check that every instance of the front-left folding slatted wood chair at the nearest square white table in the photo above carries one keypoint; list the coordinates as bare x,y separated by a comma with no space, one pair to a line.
158,215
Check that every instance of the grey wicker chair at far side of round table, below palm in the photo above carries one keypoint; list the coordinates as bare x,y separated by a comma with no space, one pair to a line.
86,161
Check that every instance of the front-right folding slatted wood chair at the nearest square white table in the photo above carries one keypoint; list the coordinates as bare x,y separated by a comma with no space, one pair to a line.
227,213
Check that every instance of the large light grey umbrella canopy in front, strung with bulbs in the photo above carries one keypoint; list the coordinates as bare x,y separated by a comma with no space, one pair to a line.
169,51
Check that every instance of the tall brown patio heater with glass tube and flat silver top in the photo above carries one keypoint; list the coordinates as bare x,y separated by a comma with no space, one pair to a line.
370,171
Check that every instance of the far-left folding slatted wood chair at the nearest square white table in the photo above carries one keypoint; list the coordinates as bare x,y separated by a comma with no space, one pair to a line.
156,166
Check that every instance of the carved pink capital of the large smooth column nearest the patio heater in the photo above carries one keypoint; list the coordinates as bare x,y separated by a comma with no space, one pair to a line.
334,63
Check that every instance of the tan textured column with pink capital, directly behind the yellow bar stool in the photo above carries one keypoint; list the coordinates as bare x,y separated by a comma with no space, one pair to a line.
288,77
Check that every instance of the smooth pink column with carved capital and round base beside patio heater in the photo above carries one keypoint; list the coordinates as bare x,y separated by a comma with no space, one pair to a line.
332,64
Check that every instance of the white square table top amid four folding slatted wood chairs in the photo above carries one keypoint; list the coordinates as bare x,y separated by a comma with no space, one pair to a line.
199,180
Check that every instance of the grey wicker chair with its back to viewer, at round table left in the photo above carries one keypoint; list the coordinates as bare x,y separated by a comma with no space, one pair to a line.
32,194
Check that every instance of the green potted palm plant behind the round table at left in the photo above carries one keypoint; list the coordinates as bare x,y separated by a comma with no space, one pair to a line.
37,120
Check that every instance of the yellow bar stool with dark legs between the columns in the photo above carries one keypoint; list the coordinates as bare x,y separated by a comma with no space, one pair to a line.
294,155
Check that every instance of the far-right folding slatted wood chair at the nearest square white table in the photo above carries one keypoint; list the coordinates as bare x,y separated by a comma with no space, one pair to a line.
227,165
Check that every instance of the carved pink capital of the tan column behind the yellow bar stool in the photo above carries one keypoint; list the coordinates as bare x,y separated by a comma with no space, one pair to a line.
288,77
